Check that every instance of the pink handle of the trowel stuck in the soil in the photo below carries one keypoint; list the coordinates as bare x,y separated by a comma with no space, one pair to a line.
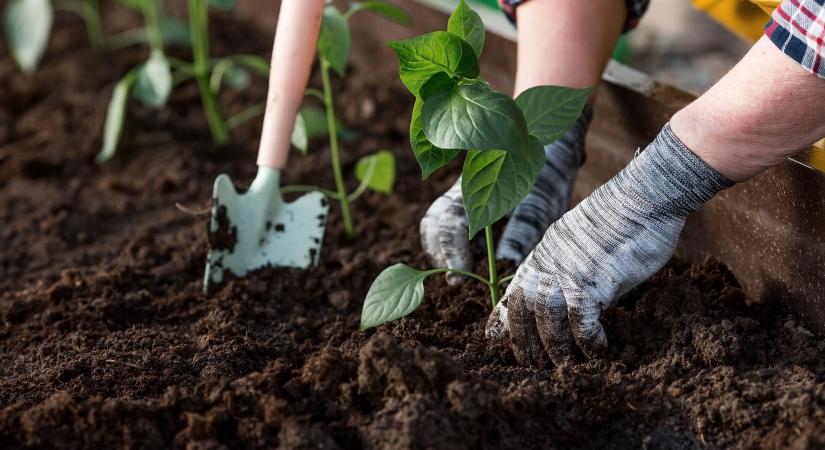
298,24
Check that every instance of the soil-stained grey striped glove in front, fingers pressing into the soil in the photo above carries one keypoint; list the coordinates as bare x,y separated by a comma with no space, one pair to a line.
616,238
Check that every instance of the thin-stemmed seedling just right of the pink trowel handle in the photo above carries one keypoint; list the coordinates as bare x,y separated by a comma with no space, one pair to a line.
376,171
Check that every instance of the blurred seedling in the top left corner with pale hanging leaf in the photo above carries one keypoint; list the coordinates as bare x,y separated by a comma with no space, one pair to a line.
28,26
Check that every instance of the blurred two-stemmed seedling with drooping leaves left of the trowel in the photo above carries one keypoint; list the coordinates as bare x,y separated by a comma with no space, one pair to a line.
152,82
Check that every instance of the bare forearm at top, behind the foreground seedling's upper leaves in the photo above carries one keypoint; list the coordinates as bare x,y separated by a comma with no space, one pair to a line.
566,42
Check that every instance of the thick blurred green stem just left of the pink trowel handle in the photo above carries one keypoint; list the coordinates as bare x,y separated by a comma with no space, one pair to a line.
199,29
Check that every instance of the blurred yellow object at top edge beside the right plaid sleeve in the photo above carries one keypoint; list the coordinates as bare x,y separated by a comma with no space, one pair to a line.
742,17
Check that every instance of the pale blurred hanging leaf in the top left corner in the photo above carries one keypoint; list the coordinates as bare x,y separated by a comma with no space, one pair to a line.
28,24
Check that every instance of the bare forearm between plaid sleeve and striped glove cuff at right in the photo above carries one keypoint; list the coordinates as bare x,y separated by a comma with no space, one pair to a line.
766,108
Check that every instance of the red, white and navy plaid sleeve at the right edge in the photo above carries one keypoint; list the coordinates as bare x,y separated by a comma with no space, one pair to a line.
797,27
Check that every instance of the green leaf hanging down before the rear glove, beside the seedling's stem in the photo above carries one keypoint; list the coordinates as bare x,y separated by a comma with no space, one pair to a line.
494,182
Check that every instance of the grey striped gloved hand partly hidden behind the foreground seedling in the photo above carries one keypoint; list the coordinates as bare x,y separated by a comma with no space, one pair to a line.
444,231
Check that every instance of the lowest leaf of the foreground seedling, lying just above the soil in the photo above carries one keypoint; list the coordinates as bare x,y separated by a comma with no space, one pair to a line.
395,293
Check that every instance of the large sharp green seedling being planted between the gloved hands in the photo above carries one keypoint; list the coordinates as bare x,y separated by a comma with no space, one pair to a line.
456,111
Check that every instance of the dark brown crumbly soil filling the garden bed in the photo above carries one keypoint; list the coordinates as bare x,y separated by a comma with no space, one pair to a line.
106,340
